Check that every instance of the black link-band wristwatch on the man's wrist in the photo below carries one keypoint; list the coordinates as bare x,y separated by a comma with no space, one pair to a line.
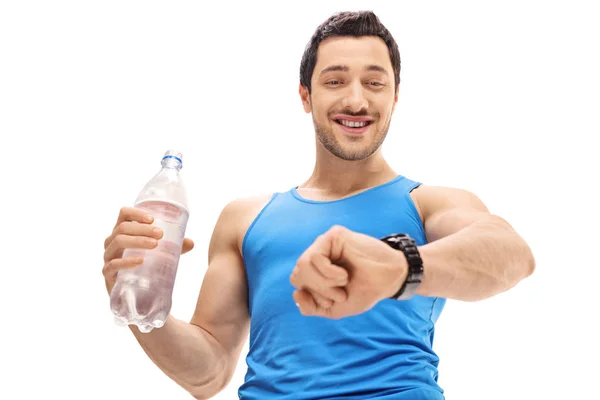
407,245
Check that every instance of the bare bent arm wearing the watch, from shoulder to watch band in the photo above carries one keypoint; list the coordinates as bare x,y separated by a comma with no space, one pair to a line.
472,254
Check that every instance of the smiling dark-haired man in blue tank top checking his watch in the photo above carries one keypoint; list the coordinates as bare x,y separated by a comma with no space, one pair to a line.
332,309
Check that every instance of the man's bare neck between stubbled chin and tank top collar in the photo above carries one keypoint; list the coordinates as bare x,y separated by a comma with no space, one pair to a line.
337,178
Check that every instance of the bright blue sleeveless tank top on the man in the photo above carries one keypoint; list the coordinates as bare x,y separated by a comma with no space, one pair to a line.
384,353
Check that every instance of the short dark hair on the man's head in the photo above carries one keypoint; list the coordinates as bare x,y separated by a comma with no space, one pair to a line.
348,23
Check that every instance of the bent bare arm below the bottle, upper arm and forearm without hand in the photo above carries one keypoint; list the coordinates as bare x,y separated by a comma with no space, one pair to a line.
201,356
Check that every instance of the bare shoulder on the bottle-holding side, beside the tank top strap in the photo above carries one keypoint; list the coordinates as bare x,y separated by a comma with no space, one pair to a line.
237,216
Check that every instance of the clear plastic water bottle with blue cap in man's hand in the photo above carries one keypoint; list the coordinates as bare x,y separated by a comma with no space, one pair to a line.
142,296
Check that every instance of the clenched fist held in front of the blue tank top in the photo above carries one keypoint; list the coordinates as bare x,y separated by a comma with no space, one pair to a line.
354,270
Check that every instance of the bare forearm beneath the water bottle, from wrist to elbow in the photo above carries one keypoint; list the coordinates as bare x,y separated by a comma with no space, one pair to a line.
188,355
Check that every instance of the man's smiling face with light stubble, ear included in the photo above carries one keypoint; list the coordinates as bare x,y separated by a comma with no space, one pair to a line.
353,95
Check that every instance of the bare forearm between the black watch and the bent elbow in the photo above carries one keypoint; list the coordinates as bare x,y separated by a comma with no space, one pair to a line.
477,262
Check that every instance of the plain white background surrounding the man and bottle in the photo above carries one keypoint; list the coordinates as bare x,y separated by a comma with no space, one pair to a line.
501,99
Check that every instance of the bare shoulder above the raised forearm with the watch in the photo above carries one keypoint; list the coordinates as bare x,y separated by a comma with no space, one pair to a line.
432,199
